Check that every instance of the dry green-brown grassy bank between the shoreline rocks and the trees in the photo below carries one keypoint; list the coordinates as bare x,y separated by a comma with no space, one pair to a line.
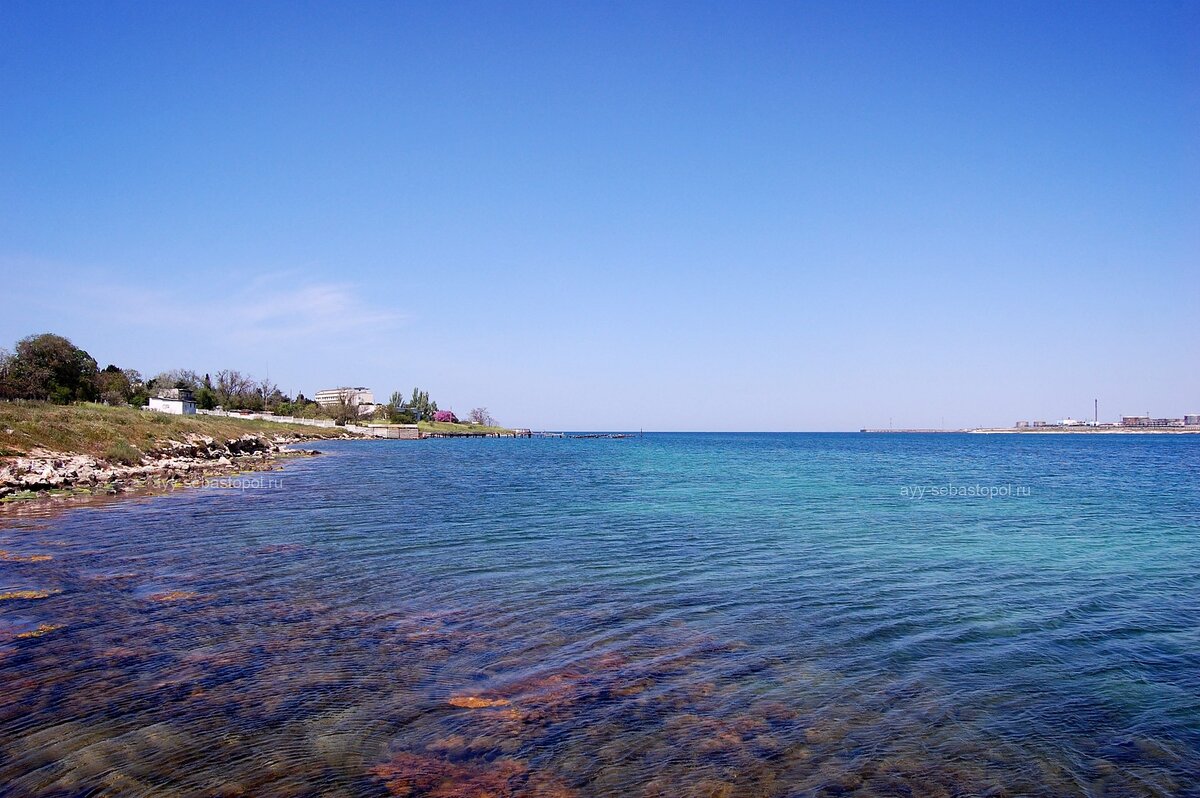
121,434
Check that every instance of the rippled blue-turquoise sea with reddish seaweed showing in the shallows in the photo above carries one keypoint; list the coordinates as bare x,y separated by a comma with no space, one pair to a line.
682,615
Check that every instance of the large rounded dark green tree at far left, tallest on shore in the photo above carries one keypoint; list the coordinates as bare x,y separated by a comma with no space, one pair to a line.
50,368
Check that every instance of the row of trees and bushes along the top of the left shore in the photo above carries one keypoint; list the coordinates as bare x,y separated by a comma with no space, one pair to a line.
51,369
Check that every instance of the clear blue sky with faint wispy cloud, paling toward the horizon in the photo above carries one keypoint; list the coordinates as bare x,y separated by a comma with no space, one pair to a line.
595,215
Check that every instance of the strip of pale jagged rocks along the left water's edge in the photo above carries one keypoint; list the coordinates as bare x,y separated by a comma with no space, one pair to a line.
172,464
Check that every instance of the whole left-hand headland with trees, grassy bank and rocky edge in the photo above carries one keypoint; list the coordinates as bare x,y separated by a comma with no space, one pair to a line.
70,429
